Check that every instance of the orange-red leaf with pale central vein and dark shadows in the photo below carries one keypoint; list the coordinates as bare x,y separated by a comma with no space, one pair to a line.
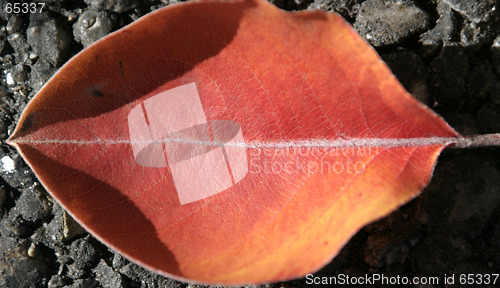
319,139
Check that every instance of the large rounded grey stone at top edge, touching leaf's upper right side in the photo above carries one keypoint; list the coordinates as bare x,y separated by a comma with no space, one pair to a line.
389,22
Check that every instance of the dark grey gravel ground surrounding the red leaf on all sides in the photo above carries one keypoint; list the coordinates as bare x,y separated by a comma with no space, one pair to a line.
445,52
